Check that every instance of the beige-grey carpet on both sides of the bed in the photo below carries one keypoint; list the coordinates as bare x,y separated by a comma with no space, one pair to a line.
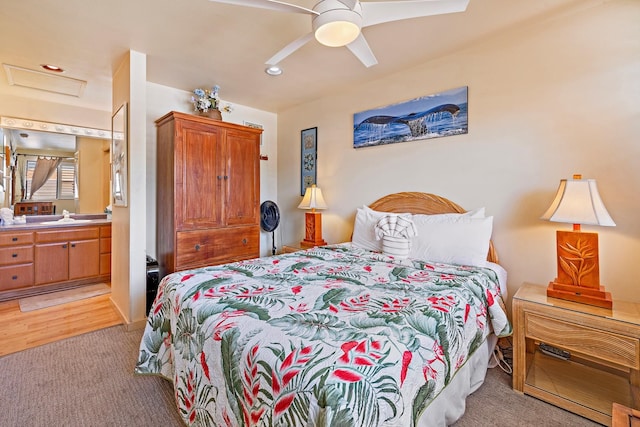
88,381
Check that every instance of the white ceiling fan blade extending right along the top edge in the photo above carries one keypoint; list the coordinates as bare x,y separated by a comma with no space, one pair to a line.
378,12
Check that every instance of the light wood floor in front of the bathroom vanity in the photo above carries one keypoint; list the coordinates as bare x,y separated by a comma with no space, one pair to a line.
20,331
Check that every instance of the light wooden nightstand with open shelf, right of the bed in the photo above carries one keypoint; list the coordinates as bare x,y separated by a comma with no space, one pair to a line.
603,348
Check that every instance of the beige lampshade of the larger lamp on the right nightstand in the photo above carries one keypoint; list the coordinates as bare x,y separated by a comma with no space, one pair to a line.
577,201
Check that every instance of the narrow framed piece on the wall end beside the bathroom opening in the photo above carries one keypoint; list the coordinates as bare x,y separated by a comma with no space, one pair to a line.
119,154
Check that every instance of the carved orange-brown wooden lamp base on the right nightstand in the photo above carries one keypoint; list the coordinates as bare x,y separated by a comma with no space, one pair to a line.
578,270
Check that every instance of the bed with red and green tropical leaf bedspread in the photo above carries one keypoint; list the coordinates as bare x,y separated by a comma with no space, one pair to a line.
339,335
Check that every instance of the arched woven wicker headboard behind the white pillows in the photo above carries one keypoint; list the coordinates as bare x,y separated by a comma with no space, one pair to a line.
423,203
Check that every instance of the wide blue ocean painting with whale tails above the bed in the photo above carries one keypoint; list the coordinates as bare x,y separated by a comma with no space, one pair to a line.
430,116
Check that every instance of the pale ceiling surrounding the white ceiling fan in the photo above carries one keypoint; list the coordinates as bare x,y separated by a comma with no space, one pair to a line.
198,43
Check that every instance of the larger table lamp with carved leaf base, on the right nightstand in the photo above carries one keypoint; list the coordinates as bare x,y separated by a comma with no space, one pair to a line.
578,202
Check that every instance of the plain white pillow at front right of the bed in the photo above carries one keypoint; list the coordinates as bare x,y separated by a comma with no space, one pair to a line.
453,240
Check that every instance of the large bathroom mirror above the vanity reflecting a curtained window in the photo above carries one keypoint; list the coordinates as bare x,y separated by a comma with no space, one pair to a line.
80,175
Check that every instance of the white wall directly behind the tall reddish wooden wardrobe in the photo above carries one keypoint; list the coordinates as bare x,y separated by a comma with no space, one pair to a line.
161,100
